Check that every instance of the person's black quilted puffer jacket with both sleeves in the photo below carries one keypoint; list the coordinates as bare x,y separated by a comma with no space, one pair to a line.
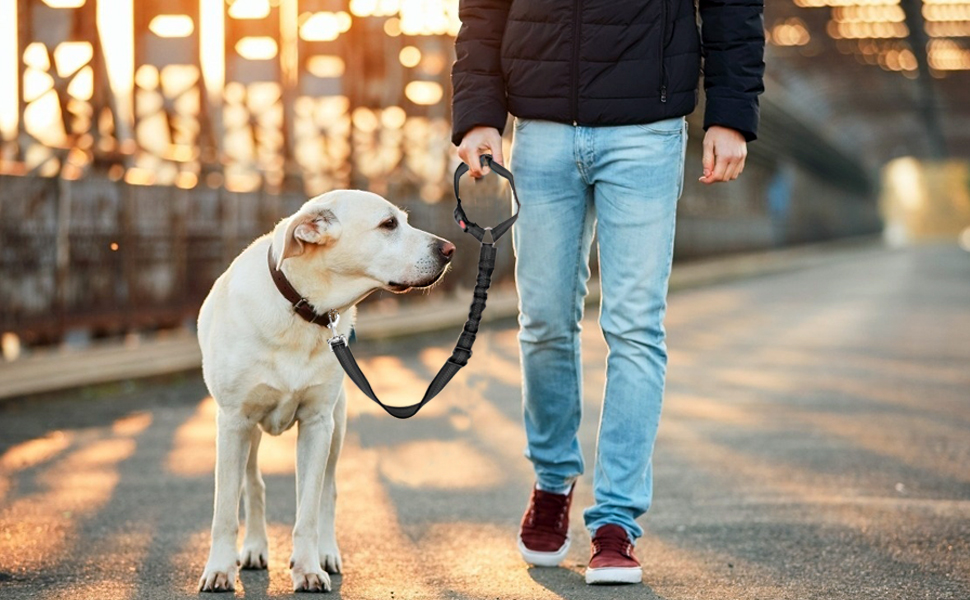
607,62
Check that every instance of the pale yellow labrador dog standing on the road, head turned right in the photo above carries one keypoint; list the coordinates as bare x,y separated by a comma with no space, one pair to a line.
267,368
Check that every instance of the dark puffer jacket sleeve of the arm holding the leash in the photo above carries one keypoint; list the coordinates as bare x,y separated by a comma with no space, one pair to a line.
477,82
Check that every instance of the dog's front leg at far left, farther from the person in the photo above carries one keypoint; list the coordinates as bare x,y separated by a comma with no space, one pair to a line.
232,448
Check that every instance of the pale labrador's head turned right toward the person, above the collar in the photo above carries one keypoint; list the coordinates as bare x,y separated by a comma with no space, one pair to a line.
359,241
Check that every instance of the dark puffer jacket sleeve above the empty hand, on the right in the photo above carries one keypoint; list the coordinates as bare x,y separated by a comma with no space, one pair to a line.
733,47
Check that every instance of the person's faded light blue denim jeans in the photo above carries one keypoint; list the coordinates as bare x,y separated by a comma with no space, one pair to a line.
623,182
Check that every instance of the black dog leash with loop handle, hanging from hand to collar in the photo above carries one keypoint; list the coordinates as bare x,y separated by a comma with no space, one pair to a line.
463,348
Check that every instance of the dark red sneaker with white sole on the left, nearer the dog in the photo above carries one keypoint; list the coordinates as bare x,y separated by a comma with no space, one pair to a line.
544,533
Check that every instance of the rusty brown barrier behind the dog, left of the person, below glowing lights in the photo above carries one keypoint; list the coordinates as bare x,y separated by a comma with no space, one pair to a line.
108,257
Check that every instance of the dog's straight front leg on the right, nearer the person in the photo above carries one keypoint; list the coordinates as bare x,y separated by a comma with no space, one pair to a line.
312,451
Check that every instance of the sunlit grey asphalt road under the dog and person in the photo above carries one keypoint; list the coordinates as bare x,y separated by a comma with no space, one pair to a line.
815,443
